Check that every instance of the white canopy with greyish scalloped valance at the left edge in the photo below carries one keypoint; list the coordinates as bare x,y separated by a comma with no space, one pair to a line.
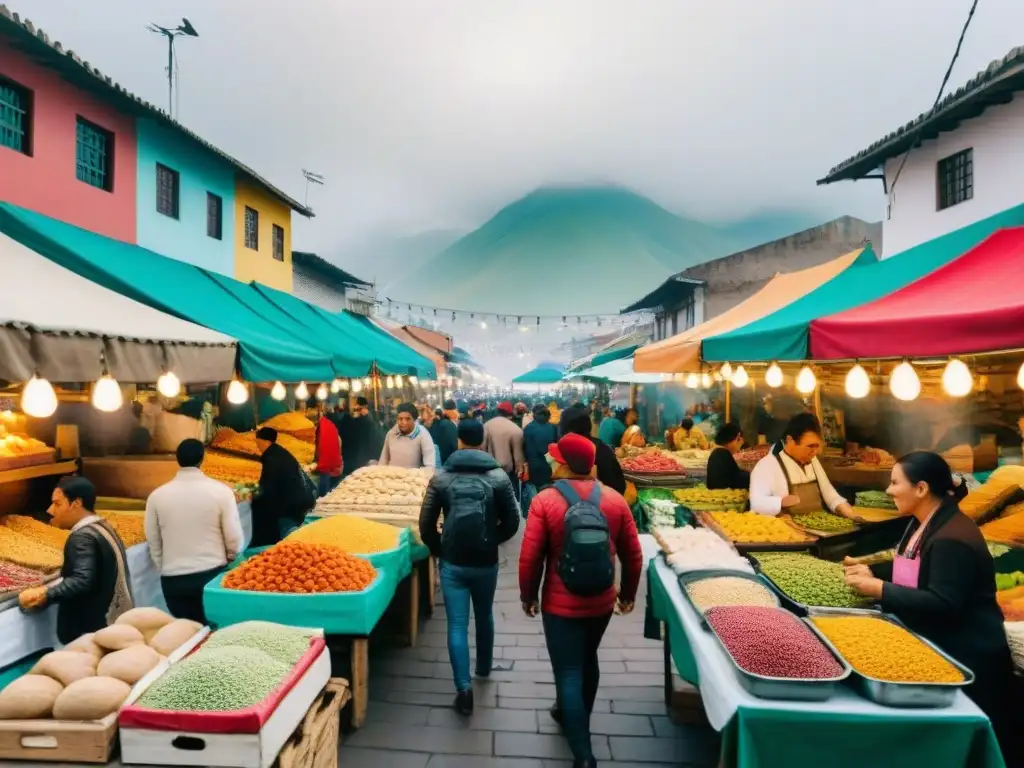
64,325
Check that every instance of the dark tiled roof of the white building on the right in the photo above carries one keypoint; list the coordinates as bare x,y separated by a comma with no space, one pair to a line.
996,84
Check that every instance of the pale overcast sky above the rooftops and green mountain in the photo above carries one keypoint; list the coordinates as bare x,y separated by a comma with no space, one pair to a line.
433,115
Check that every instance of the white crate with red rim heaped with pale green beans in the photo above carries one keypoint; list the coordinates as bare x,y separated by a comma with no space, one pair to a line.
234,703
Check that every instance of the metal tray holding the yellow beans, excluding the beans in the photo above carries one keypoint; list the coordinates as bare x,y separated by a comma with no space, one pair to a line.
892,694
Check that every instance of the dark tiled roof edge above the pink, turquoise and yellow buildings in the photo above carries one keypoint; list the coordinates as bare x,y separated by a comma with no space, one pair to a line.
52,54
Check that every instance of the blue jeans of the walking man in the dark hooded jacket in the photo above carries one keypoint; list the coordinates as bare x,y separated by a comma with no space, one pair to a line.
460,585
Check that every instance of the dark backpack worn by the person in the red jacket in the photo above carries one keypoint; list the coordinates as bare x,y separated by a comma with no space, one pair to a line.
585,566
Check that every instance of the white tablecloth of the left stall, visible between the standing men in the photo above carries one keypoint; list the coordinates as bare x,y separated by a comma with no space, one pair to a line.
24,634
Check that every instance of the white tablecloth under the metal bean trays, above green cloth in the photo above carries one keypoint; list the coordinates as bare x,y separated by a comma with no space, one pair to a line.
723,695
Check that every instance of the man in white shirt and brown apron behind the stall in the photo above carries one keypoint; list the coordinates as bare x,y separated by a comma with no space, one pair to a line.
791,479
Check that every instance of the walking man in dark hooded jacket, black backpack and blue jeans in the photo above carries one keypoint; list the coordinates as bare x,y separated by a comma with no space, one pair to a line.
481,513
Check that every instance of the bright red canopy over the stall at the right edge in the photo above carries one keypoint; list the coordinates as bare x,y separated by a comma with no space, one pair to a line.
973,305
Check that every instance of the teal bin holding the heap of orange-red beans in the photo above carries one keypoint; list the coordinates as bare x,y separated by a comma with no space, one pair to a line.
338,613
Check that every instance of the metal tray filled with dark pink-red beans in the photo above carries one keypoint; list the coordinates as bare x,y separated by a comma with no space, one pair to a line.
776,655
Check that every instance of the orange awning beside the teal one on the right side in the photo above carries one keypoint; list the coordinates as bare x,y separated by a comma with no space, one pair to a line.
681,354
